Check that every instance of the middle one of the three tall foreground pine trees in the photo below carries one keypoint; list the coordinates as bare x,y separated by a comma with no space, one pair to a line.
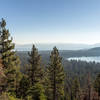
35,71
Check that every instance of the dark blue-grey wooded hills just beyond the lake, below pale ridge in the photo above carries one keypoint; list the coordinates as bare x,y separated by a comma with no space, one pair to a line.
67,53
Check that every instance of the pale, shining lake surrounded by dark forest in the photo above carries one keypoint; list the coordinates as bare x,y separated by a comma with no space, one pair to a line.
88,59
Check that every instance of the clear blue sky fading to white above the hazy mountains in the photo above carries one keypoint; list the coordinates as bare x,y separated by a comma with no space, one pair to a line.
52,21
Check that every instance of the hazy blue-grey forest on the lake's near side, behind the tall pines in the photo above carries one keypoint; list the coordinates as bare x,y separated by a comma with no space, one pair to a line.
73,68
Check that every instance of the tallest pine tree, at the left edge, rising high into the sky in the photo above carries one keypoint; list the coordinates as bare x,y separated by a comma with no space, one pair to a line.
9,59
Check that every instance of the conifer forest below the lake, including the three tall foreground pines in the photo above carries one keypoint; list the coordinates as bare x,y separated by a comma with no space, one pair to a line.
44,81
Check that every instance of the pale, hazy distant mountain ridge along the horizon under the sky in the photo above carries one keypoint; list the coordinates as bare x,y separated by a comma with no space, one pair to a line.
60,46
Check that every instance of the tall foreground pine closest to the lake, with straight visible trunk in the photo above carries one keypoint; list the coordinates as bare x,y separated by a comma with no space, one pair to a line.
56,75
